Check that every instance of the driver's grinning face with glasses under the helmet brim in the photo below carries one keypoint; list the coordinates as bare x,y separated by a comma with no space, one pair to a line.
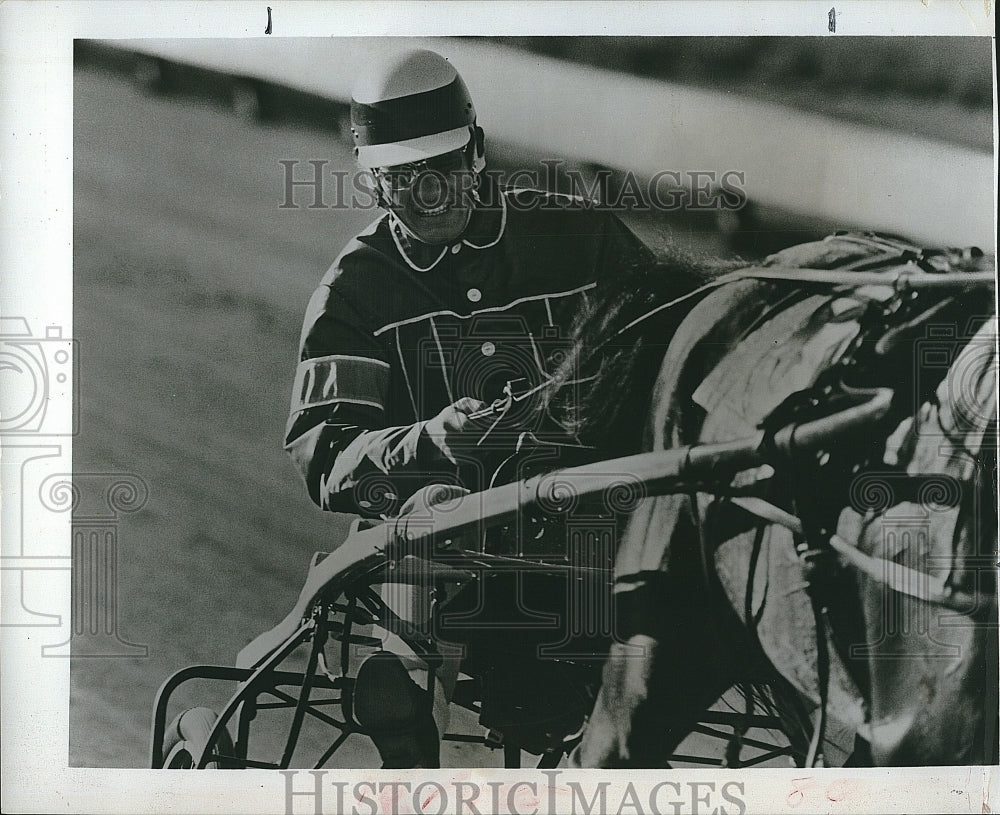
433,199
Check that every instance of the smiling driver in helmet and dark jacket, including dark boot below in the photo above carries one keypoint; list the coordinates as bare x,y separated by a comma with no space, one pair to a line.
459,290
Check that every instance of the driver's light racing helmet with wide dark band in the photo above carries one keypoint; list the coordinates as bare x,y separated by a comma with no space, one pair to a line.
412,108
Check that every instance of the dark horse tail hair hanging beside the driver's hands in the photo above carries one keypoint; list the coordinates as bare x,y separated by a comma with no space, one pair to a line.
618,367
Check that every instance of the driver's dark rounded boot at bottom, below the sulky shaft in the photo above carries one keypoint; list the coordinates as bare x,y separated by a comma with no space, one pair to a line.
396,713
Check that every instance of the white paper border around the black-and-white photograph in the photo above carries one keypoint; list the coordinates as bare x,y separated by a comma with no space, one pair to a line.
36,228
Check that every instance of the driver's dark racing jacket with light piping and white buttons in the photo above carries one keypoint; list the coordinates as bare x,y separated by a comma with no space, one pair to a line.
395,332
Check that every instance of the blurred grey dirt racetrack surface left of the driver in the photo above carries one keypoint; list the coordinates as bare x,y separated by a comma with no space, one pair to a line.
189,288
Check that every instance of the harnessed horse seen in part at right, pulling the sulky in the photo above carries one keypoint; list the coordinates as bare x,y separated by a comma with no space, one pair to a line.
852,588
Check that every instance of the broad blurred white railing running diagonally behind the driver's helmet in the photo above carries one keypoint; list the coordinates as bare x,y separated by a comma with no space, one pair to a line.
805,163
